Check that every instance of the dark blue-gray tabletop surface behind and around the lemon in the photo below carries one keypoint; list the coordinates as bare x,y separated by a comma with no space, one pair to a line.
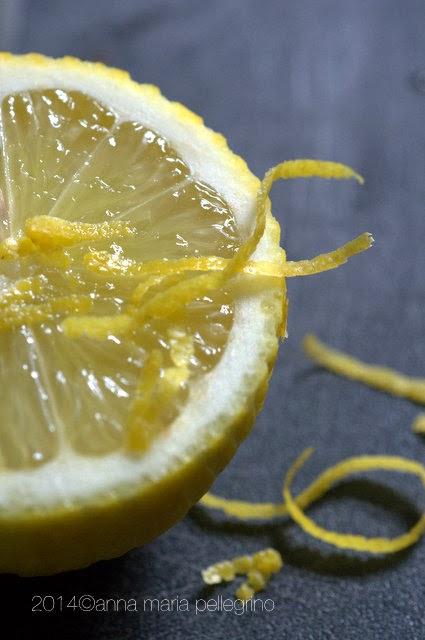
333,79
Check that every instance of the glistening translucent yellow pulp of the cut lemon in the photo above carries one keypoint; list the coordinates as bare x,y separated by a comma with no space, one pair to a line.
76,183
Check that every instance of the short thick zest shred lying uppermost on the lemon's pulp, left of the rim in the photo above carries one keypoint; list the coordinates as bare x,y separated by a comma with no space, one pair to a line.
49,232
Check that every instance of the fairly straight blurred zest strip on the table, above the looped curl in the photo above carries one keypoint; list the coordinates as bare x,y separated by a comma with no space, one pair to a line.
382,378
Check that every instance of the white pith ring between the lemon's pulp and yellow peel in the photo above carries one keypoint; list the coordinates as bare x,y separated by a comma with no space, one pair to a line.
219,395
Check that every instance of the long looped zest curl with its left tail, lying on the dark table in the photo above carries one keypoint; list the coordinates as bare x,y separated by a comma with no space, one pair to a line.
294,507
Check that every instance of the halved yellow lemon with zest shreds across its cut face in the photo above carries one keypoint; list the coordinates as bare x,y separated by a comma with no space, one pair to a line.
142,294
